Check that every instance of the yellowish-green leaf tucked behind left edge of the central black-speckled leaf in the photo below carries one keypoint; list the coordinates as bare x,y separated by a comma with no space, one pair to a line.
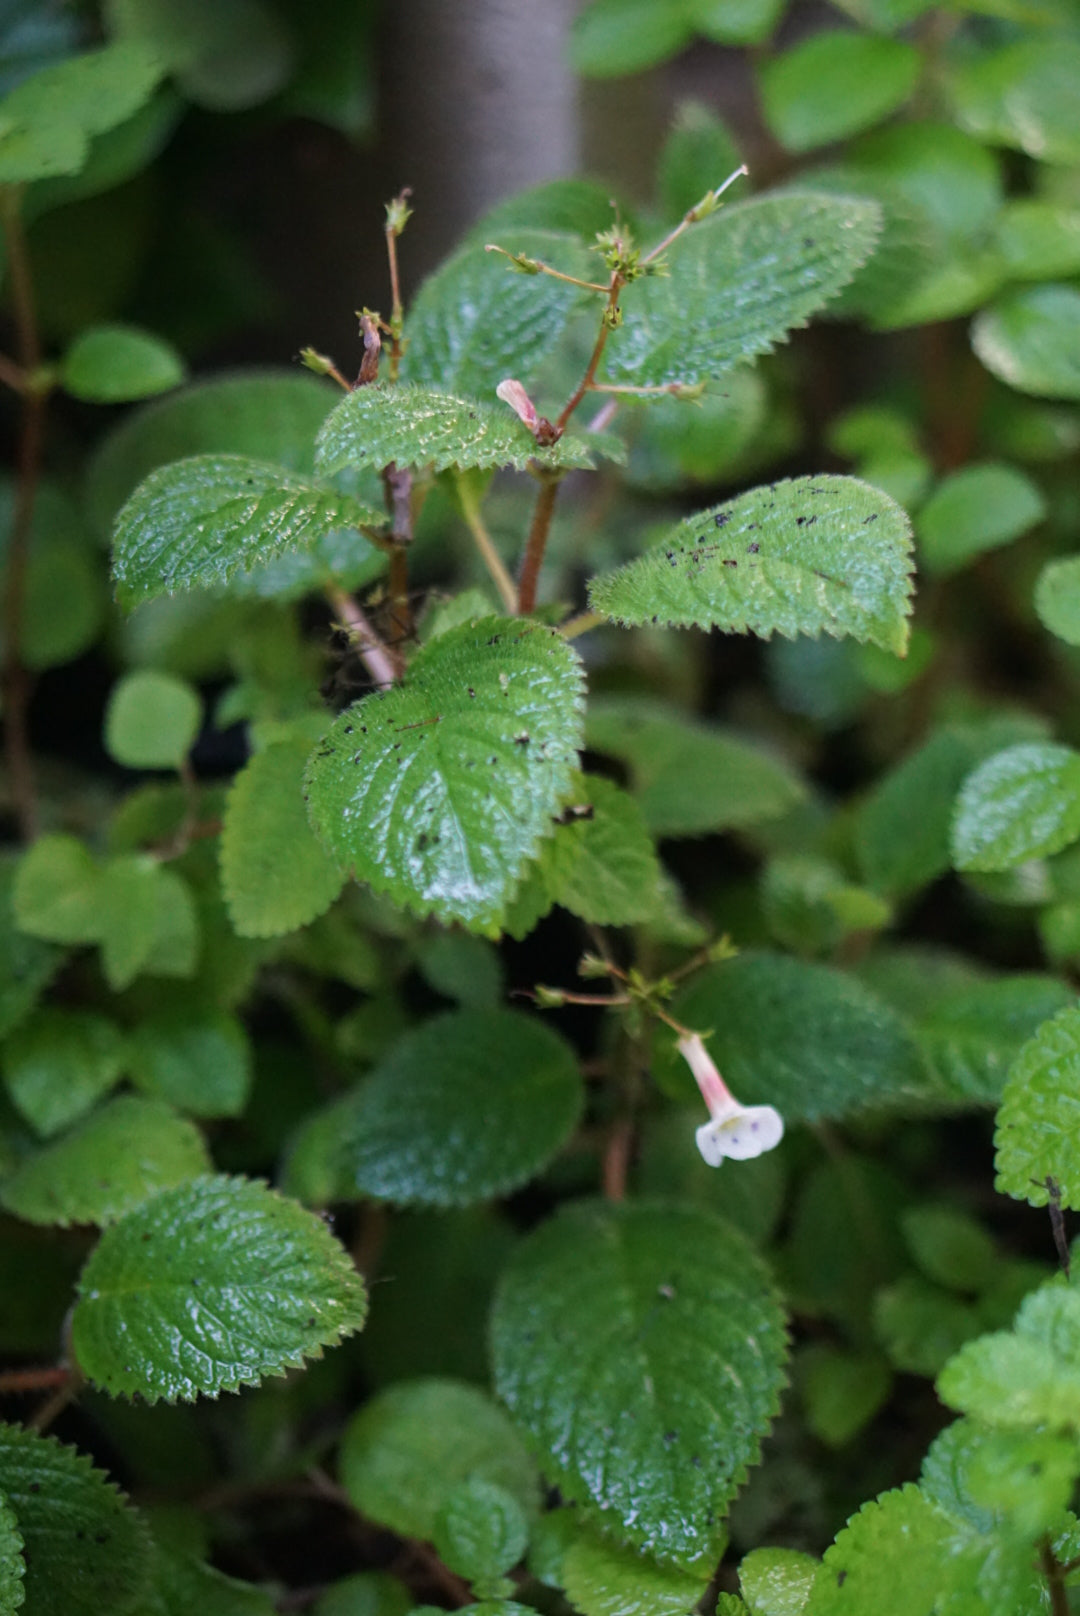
276,875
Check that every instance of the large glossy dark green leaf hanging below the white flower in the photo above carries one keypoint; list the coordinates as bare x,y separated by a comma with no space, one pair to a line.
673,1305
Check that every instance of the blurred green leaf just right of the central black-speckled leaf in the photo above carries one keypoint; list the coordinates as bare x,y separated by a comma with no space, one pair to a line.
688,778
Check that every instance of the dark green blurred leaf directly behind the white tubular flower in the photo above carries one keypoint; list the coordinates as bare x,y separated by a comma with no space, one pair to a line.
804,1038
